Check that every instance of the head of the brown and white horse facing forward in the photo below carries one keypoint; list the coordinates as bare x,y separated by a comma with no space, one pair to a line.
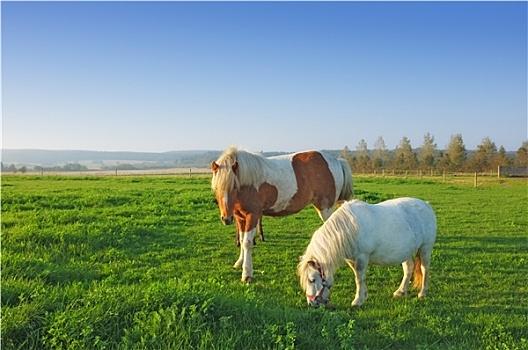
225,184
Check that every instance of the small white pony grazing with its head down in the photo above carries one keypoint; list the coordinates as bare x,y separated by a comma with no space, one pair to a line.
387,233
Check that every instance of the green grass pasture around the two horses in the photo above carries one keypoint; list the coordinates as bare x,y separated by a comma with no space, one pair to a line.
145,263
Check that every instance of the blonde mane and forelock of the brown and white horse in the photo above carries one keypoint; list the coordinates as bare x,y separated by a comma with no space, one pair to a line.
250,169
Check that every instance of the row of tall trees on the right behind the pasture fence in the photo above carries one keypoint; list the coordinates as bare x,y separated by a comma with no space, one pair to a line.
455,158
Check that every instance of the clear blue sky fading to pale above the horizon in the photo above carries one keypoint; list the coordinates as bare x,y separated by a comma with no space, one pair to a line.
267,76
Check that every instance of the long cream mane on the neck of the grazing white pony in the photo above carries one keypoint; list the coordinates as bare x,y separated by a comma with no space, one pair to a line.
331,243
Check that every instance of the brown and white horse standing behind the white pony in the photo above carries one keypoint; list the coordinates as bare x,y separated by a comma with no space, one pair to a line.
248,186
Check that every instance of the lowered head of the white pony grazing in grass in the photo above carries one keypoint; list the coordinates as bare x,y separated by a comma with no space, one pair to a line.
315,283
